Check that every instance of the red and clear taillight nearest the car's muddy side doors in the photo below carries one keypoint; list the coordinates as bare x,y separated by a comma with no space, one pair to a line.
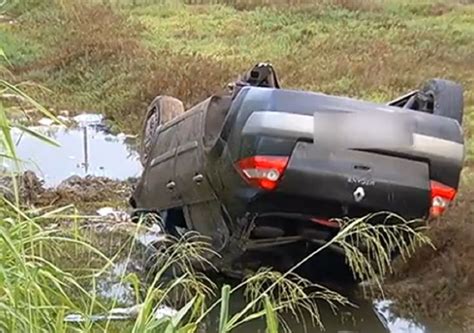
263,171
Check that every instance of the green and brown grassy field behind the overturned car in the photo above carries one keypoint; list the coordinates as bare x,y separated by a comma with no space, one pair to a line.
116,58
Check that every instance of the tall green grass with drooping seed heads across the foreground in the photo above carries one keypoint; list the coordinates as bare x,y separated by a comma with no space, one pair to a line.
41,282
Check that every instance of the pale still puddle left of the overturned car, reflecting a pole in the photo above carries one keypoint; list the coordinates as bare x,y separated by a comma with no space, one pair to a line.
85,149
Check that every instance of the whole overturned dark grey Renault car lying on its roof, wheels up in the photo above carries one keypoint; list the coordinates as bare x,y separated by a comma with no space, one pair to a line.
259,166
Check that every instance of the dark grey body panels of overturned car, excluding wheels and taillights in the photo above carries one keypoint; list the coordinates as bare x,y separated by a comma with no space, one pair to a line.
335,145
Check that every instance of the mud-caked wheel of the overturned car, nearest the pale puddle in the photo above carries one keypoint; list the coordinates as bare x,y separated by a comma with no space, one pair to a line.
159,112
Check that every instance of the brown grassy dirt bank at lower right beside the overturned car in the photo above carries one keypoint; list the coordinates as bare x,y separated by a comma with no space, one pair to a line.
439,284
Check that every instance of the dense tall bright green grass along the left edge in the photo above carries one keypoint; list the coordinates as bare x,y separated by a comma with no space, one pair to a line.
33,291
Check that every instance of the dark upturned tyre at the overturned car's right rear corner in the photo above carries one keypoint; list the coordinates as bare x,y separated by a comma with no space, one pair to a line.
447,97
